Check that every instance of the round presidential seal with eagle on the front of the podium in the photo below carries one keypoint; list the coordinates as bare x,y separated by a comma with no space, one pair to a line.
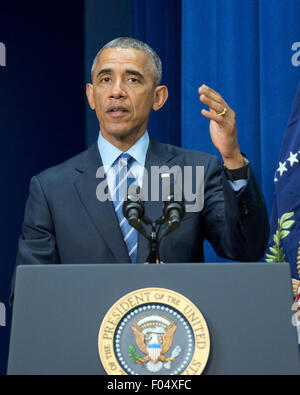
154,331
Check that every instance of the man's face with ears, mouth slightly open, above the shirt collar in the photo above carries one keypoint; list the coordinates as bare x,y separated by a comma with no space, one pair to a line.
123,93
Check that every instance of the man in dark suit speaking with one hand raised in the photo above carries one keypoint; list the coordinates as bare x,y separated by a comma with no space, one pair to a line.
65,222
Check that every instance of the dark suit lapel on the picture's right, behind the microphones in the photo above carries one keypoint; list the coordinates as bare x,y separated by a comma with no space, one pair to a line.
157,155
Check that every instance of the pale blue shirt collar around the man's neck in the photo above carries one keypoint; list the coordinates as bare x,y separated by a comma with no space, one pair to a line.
109,153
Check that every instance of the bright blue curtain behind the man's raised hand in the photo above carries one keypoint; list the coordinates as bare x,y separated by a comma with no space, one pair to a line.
242,49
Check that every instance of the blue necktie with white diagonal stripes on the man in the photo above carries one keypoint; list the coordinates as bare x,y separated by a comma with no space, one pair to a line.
123,180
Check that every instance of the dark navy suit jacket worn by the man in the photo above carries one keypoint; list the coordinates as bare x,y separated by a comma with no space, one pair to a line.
65,223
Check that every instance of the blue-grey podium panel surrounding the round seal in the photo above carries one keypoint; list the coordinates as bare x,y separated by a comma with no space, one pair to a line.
58,311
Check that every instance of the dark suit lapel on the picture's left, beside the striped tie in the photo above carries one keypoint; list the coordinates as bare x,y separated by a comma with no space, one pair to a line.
102,214
